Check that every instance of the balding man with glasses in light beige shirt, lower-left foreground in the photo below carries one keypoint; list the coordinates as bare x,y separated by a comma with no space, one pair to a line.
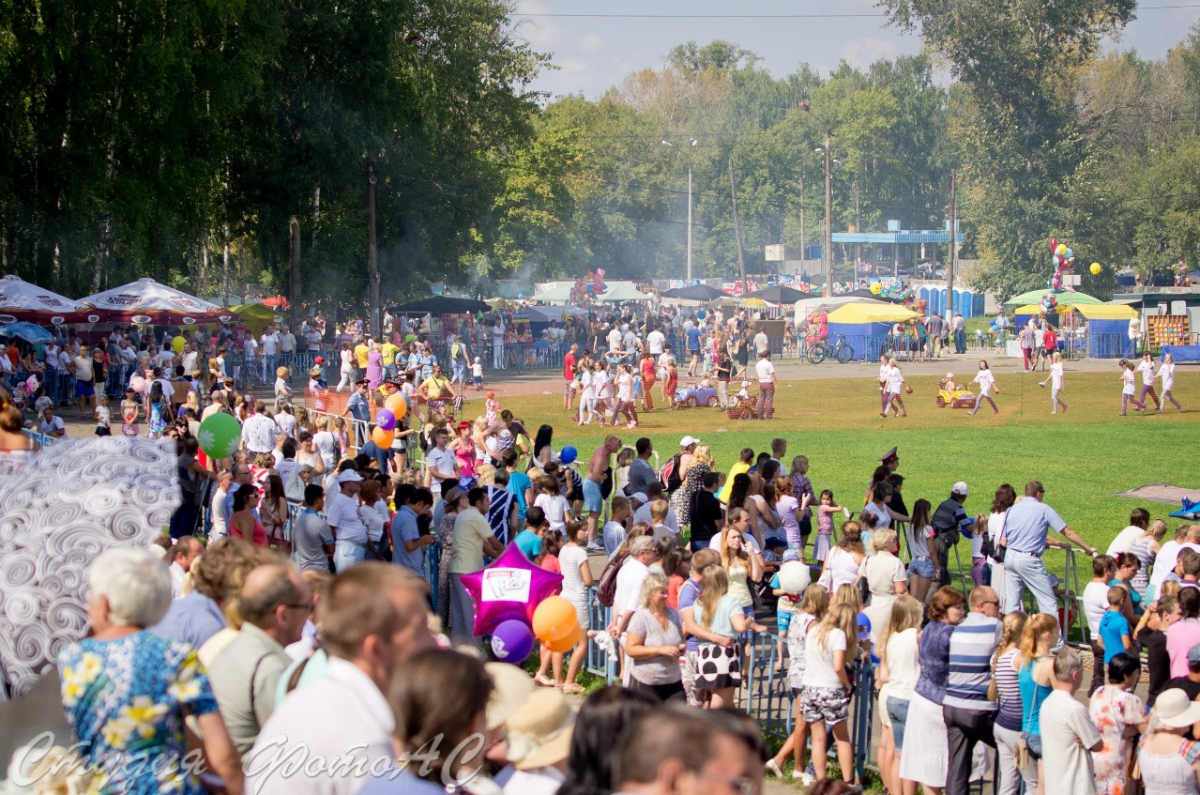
274,605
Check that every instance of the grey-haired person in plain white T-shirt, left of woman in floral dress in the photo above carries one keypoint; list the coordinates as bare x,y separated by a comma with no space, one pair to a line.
1069,734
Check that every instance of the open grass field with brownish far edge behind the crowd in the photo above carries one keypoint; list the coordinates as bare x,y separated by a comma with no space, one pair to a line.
1084,457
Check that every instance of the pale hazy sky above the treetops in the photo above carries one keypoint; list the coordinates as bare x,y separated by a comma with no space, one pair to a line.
597,52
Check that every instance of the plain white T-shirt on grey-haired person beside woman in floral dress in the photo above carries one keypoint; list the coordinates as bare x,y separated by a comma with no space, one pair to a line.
1067,737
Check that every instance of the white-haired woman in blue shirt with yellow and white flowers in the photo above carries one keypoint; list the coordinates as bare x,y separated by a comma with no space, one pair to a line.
128,692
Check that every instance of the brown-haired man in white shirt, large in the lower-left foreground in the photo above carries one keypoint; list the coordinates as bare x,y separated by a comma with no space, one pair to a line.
345,718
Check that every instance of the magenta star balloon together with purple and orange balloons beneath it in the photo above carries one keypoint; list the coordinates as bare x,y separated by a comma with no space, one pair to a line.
515,603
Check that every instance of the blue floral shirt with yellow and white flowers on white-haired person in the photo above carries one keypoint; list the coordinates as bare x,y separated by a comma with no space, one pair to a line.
125,702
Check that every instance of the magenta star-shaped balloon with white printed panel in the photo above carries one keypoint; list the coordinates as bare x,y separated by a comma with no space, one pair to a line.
511,588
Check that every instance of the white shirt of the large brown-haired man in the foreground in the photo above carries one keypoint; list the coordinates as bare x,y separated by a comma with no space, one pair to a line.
343,718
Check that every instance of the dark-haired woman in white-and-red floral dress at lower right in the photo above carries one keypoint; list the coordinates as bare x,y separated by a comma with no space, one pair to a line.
1120,716
